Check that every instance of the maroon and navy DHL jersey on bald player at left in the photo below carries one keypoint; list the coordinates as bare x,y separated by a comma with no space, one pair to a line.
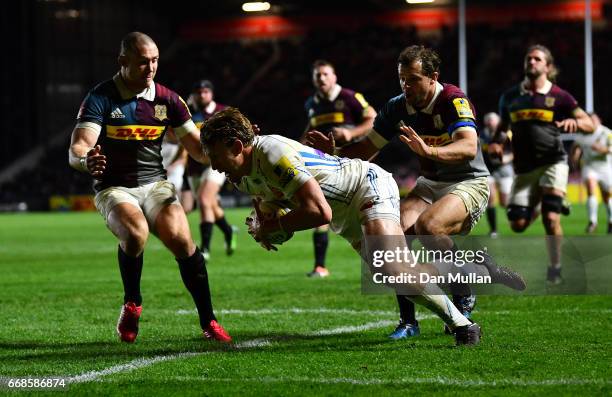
132,130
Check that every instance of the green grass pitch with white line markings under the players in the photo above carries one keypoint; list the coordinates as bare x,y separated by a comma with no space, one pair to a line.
60,294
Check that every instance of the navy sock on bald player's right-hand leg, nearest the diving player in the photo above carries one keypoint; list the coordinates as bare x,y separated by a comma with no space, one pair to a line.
195,278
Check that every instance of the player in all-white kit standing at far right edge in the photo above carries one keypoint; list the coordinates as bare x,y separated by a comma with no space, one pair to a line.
596,152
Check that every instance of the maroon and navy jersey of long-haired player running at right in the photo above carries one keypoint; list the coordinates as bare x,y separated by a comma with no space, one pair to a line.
536,139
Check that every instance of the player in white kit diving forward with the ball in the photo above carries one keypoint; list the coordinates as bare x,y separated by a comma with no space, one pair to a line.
355,197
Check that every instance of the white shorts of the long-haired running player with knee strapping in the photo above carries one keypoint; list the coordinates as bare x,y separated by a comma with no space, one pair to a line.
527,187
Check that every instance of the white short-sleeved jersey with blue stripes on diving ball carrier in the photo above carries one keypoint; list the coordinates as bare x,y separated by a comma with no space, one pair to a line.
281,166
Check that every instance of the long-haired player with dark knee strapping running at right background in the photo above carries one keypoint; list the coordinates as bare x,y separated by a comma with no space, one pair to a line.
538,111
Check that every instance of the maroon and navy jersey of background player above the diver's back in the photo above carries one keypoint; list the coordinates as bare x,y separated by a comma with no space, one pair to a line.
345,110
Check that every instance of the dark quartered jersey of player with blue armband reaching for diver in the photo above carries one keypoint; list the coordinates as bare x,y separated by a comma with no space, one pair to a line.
449,110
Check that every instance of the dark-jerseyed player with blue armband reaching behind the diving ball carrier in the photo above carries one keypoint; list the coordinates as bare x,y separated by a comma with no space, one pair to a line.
438,123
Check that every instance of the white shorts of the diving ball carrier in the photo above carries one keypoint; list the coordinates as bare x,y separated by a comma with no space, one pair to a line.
376,198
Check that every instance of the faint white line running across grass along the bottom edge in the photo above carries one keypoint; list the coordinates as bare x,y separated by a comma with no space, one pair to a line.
405,381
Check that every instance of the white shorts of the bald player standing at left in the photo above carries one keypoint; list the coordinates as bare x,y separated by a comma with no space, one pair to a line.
149,198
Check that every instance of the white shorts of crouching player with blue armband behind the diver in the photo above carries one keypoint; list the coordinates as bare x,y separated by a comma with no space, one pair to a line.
474,193
